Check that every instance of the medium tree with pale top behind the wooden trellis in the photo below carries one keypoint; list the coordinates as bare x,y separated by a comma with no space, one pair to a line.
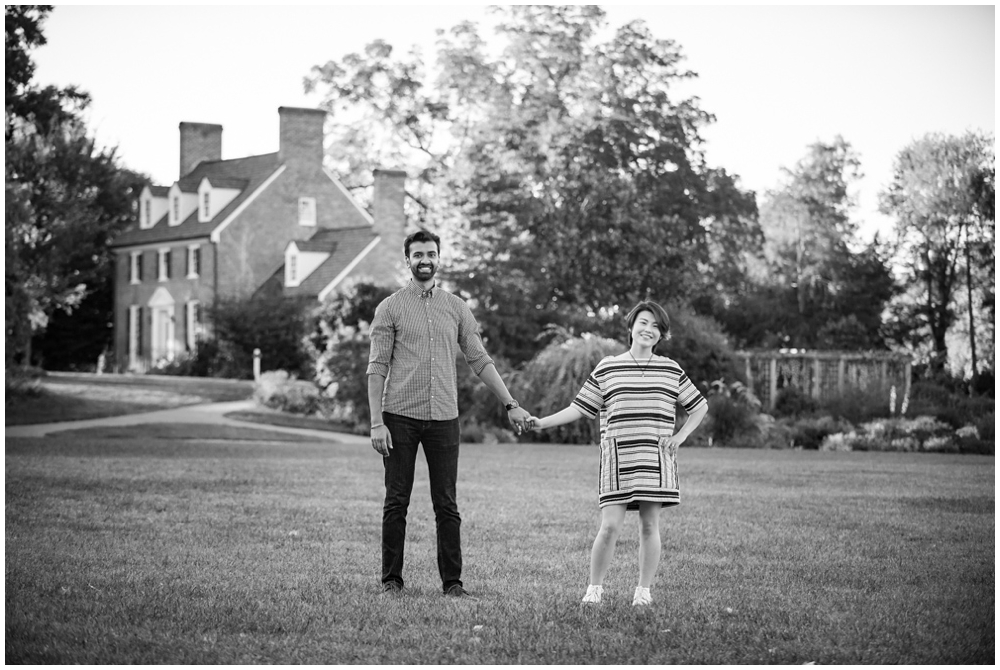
816,285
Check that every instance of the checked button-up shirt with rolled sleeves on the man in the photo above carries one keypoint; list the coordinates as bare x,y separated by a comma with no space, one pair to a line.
414,337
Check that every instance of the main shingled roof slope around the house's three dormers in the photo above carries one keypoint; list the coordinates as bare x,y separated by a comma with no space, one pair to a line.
253,170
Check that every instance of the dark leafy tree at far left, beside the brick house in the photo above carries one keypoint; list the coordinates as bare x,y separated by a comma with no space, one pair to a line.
66,200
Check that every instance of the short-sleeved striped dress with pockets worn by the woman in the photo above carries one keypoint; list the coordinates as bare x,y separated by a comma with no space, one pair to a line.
637,414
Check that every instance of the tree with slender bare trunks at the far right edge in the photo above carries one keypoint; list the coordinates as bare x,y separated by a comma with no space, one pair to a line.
942,196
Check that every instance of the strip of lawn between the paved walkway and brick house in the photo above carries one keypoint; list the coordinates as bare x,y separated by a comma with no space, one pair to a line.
71,397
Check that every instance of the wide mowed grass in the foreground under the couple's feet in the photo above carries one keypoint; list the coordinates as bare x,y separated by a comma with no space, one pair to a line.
219,545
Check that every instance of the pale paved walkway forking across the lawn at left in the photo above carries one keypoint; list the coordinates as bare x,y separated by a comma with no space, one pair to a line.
212,413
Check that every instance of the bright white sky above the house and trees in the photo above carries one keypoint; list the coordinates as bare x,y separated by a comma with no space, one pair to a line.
778,78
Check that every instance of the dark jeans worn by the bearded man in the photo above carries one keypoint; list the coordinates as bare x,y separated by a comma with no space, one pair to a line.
440,441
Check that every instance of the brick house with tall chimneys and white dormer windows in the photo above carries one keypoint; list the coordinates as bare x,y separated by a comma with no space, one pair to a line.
233,227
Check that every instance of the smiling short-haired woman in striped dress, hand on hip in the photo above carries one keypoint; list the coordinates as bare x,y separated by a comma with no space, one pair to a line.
636,394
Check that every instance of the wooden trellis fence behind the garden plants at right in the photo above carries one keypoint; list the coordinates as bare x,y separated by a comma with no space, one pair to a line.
823,374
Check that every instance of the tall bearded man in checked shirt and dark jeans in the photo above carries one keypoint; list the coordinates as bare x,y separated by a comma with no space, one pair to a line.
412,393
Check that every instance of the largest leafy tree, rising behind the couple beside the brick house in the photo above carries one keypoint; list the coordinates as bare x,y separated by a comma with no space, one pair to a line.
568,172
